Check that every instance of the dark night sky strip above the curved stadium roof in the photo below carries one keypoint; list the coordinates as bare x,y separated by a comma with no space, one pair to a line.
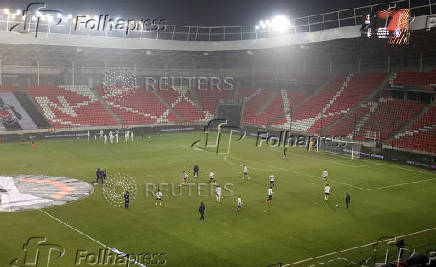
196,12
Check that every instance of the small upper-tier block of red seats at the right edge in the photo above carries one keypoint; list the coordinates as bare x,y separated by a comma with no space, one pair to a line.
424,79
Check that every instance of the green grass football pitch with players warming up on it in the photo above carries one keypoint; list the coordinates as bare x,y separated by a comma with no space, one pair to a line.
299,227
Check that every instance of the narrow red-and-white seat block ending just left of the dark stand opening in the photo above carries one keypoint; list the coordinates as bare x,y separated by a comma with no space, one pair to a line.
181,100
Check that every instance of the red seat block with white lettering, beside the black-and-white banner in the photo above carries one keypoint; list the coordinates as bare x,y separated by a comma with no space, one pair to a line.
67,106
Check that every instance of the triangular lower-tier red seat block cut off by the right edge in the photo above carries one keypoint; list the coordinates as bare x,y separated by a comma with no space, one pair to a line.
421,135
